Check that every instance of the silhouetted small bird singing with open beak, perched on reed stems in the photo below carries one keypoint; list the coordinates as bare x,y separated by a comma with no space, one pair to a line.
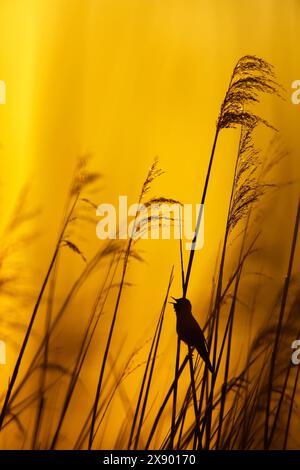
189,331
